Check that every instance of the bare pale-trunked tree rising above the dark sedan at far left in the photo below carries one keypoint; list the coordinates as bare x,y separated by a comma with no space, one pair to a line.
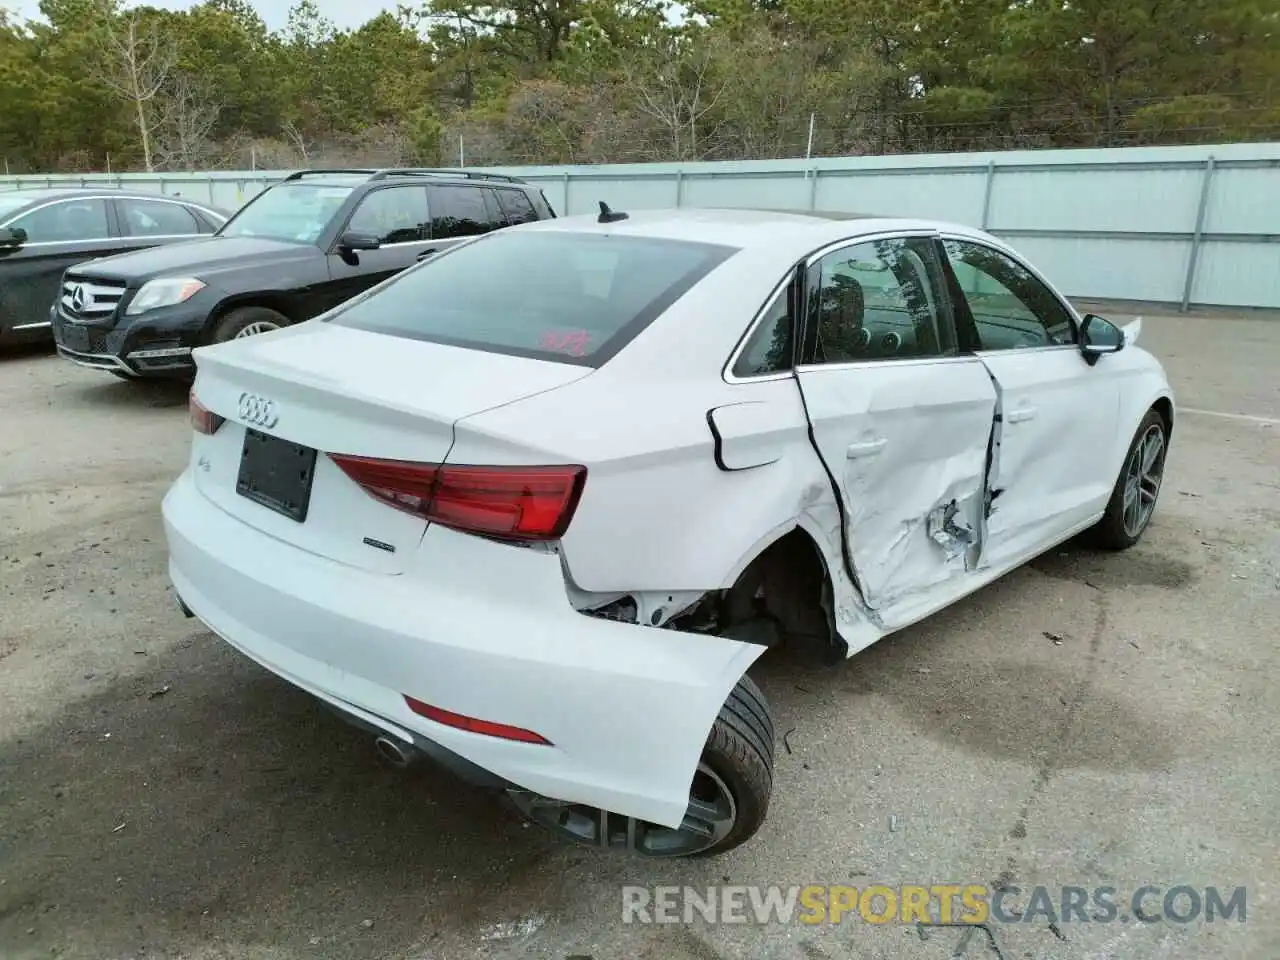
138,60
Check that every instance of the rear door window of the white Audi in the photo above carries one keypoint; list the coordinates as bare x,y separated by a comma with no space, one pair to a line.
880,300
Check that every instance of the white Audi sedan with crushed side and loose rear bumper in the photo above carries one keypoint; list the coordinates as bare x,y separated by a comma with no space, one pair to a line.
536,506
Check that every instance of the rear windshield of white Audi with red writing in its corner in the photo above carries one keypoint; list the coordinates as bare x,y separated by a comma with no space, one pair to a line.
572,298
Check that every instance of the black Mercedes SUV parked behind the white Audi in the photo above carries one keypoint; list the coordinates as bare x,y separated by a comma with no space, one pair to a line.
299,249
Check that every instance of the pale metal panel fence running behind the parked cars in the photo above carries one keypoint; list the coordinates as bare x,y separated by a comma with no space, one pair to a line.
1196,225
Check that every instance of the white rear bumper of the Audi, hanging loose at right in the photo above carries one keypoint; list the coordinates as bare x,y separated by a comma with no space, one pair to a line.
474,628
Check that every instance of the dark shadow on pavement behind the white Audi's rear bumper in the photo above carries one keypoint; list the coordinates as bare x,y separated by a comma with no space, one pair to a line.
208,801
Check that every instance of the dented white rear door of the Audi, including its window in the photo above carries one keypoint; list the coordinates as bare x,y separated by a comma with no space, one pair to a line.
902,422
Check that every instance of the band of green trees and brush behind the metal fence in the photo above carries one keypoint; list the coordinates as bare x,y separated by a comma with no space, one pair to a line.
588,81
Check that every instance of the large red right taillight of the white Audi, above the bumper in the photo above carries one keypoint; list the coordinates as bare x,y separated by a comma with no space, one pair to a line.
514,504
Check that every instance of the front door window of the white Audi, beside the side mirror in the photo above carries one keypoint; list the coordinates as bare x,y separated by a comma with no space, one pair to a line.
1011,308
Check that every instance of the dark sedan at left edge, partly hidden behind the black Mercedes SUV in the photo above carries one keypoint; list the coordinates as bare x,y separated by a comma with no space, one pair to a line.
43,232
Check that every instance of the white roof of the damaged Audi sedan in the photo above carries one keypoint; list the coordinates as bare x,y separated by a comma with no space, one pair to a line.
744,228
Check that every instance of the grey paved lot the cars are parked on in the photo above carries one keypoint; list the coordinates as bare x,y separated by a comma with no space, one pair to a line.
161,797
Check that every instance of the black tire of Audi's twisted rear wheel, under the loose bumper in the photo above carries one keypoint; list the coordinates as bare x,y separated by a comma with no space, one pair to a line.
740,752
